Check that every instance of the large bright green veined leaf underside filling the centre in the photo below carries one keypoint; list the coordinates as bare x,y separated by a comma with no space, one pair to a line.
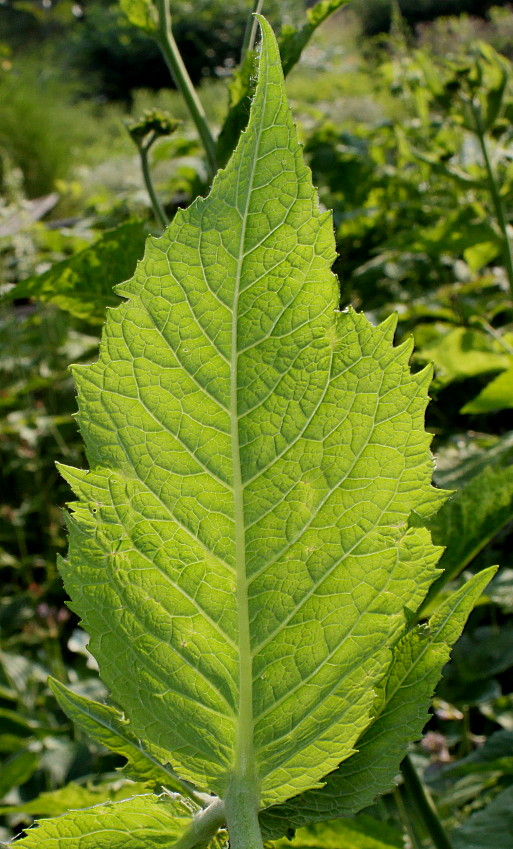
240,553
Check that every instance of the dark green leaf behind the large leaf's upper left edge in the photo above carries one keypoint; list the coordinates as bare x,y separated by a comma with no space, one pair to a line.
83,284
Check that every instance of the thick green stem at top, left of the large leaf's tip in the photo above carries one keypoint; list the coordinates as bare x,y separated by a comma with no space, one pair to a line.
183,82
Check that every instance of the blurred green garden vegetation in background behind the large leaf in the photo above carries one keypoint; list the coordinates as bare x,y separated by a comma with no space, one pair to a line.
405,110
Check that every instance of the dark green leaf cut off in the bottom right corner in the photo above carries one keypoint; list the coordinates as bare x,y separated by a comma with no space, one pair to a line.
489,828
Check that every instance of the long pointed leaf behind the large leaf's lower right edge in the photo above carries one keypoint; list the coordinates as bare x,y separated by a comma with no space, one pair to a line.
400,713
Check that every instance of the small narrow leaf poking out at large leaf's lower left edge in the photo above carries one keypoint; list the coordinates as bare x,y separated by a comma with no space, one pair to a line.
106,726
